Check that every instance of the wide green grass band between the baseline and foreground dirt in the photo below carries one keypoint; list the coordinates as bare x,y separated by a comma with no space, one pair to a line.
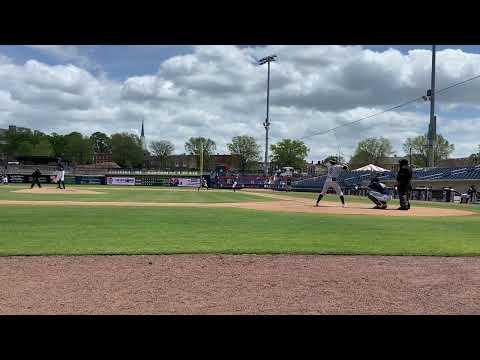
67,230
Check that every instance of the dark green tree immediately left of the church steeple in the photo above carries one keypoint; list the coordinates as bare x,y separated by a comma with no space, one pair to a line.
127,150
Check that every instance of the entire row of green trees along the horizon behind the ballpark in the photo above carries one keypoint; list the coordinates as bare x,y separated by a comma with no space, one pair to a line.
126,149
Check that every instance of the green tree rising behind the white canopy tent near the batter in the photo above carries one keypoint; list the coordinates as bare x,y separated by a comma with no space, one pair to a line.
371,151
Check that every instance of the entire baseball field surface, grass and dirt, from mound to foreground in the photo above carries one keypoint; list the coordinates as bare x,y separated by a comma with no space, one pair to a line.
183,248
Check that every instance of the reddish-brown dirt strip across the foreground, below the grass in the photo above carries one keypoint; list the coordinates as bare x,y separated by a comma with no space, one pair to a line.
220,284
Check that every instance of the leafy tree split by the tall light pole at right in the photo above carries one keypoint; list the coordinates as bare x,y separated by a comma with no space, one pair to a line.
419,145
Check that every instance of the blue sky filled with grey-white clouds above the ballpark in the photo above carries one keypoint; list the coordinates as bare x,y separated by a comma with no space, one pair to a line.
219,92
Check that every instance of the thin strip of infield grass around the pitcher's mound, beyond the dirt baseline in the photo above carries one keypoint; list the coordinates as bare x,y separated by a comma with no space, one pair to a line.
135,194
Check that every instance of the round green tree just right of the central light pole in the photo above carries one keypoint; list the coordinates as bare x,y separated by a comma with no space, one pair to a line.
288,152
